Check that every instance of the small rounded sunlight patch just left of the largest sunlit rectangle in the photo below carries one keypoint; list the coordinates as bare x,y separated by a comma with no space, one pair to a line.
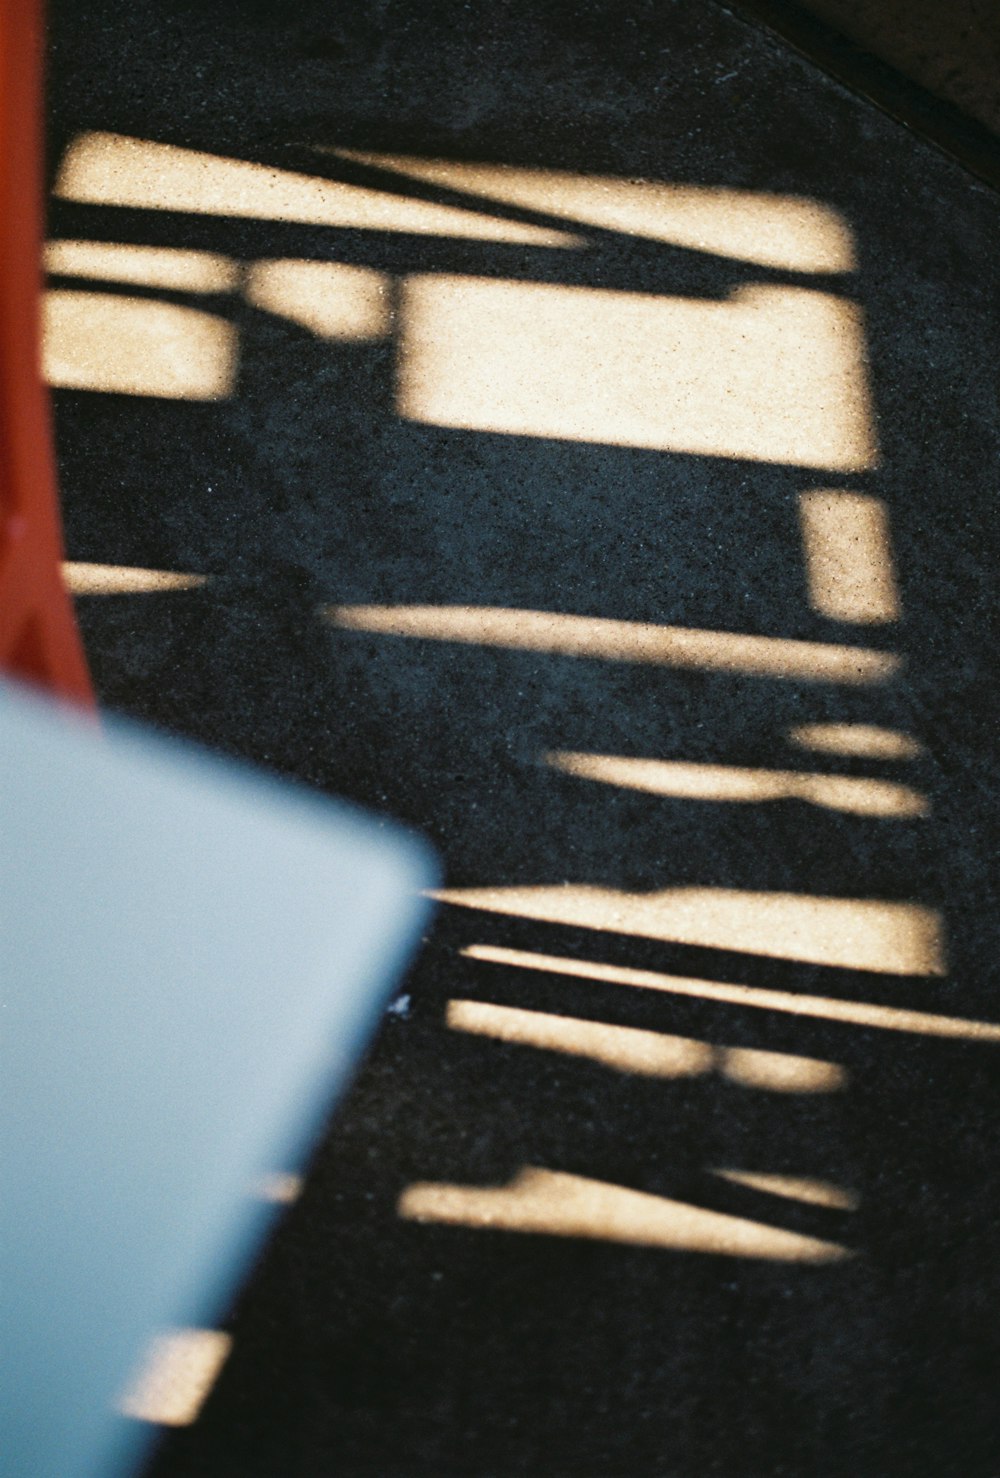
330,299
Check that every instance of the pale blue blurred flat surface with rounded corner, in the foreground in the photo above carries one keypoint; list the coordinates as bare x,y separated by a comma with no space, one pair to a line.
191,960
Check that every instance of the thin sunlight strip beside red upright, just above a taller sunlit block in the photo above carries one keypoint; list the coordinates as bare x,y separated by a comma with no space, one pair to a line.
151,267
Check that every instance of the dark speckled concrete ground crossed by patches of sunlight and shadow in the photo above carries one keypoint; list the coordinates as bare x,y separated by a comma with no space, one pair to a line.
370,1343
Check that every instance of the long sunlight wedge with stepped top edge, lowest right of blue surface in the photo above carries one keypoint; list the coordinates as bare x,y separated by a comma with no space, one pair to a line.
556,1205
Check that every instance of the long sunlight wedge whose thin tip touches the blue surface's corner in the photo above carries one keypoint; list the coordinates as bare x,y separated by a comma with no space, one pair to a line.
893,939
